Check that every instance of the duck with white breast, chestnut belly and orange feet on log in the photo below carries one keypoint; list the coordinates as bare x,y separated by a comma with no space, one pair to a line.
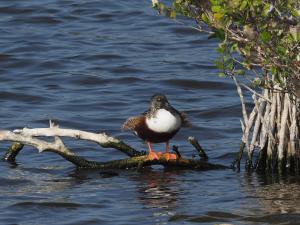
158,124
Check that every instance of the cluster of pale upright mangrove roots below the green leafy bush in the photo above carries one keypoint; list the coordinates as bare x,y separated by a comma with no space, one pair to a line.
271,130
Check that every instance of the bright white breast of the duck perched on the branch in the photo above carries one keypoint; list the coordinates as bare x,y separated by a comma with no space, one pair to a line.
163,121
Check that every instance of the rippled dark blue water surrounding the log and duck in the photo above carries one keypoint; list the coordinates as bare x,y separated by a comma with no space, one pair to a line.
90,65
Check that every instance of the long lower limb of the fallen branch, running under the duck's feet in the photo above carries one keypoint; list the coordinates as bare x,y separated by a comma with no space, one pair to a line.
133,162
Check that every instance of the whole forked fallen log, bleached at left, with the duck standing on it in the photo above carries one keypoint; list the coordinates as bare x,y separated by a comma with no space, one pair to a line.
136,160
